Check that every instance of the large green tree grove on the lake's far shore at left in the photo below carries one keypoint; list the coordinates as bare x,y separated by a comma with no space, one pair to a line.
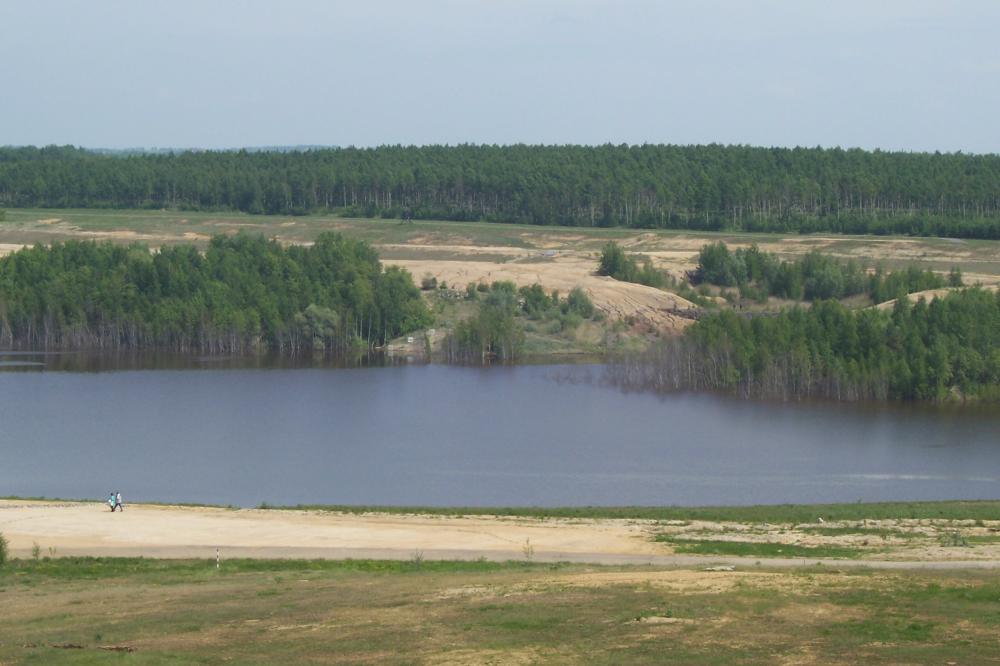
243,293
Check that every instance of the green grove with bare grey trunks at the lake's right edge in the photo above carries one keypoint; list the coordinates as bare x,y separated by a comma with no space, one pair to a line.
949,348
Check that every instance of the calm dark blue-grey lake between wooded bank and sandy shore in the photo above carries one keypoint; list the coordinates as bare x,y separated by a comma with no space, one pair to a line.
437,435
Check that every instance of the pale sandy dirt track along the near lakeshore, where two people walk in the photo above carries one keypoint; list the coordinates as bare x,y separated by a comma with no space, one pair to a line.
81,528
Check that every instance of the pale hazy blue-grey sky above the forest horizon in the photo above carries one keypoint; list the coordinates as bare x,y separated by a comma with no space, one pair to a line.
895,74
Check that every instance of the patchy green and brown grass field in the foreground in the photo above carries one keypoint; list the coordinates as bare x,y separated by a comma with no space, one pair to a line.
75,611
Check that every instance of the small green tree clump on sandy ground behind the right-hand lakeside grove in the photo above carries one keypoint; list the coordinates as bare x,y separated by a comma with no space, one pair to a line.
816,276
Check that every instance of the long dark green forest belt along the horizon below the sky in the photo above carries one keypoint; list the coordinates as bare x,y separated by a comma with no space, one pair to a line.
708,187
